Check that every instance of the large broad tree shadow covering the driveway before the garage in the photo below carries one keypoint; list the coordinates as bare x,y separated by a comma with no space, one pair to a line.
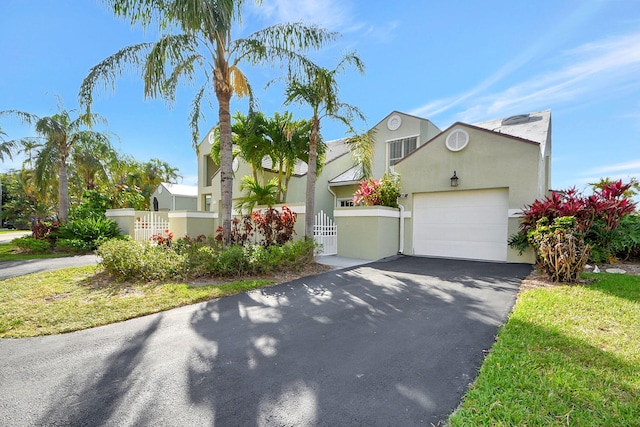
394,343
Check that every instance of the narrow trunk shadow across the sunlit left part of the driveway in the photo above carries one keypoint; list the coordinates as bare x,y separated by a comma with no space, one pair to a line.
96,398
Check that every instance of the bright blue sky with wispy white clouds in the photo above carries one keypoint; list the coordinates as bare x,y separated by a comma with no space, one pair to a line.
443,60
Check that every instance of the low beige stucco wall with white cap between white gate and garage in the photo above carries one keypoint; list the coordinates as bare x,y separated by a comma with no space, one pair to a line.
369,233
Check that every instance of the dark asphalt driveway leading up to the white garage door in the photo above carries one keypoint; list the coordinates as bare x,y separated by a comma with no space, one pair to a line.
388,343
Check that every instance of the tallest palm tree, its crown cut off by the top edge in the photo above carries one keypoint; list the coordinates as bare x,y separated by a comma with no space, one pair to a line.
197,41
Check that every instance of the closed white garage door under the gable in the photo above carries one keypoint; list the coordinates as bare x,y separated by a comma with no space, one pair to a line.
461,224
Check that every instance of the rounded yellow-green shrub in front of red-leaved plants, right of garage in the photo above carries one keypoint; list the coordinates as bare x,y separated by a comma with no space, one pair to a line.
560,248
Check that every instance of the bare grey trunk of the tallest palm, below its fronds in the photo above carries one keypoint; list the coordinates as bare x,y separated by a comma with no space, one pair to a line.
226,160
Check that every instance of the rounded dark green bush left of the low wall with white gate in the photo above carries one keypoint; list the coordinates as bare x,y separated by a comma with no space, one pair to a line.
86,234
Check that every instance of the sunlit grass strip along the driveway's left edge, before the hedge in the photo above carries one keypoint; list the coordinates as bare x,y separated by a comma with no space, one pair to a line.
71,299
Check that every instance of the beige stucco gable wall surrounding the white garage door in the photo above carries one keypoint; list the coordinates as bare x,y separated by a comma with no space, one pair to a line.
488,161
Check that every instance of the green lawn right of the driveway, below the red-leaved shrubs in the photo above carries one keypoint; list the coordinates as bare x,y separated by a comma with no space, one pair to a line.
568,356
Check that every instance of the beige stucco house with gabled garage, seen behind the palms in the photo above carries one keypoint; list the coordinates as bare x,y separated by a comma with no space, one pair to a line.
500,165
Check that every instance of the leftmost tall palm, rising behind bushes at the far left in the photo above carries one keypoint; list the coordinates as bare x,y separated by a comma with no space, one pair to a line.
59,134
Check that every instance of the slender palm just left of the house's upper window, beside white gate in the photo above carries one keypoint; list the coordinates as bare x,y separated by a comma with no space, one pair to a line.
319,90
